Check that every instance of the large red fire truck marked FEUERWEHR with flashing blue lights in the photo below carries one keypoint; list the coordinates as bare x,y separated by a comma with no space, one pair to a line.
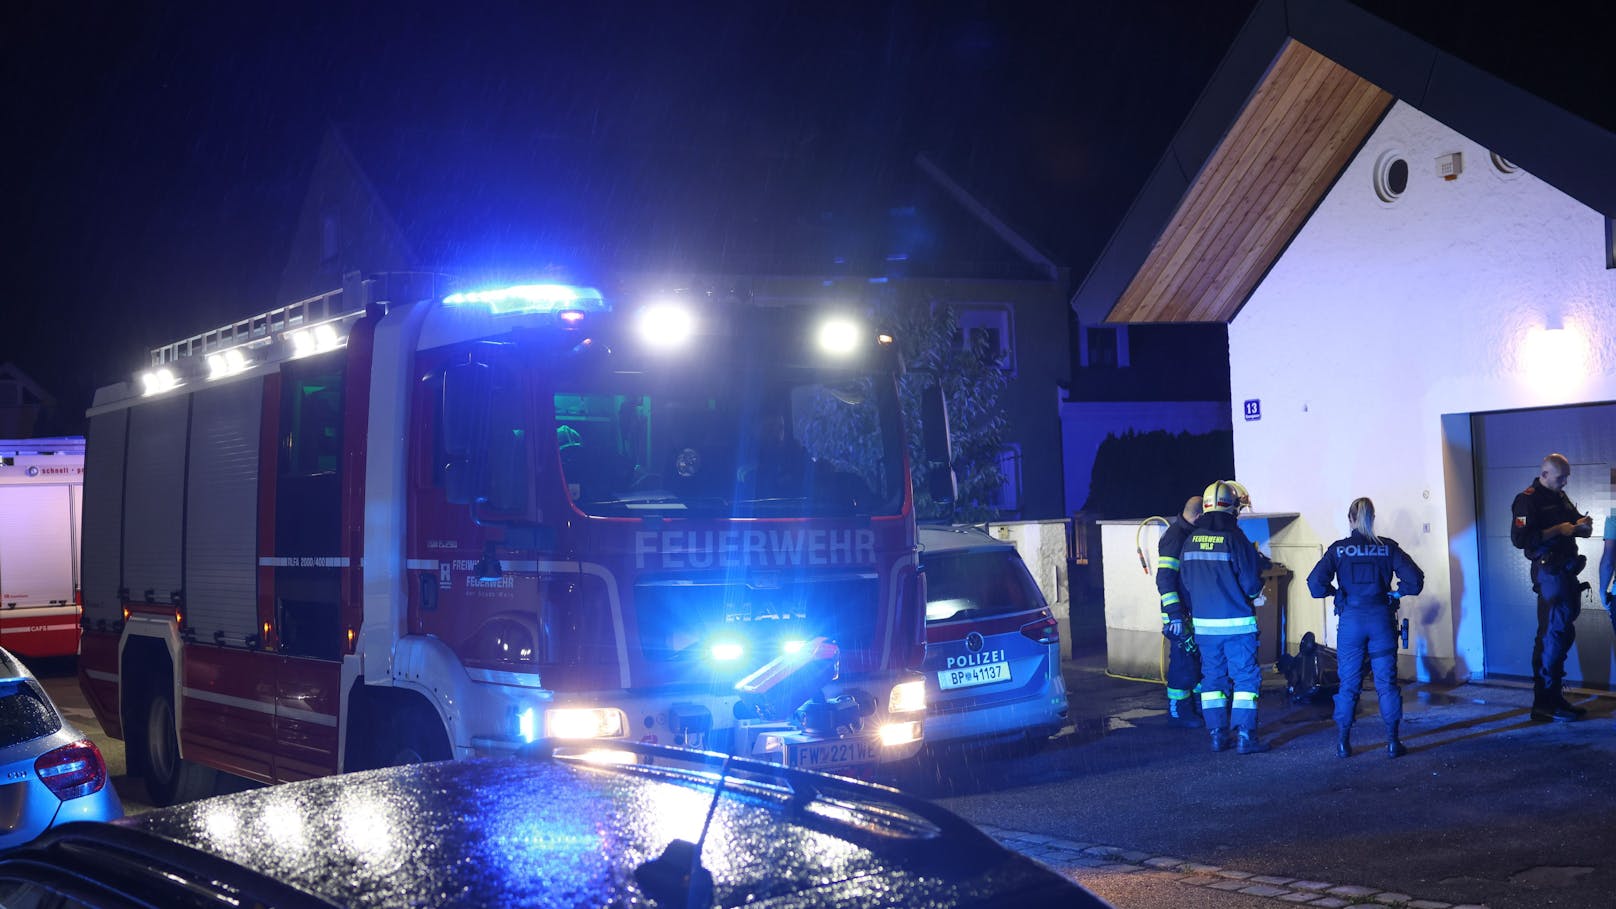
355,533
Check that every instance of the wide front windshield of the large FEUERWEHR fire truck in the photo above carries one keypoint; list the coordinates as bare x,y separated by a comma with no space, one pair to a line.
788,444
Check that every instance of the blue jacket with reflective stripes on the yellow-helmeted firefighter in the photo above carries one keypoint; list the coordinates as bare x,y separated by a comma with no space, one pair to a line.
1221,573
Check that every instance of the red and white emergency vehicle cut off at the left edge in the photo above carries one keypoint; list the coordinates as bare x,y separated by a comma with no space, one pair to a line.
41,491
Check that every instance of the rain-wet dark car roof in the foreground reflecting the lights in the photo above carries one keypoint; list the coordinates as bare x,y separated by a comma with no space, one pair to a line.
518,832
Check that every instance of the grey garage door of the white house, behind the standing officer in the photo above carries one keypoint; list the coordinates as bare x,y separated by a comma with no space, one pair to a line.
1509,452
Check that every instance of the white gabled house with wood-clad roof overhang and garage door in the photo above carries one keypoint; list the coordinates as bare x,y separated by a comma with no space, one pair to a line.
1415,263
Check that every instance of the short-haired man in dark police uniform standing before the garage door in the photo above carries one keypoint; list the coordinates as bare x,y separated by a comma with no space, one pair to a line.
1546,526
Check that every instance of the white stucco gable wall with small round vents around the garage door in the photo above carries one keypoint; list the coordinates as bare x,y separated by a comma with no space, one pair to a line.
1382,319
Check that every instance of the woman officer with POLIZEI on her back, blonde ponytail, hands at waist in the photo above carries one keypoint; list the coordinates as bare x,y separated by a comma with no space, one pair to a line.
1366,604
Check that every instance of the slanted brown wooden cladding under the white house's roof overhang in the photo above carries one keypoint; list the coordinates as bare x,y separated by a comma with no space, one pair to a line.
1300,129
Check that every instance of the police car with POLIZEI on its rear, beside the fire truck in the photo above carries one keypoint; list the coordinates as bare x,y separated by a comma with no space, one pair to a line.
993,648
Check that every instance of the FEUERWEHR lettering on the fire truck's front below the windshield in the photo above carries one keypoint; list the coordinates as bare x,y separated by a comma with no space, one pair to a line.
730,549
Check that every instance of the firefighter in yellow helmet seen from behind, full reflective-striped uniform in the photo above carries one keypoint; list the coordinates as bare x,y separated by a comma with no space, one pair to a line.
1221,573
